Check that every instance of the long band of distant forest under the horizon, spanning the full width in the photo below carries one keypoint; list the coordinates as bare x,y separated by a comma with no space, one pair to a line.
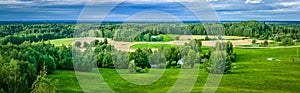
18,33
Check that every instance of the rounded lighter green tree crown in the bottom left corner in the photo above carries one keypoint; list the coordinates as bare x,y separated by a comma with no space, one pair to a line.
16,76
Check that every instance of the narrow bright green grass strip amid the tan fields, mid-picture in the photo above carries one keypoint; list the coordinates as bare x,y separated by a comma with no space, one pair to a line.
151,45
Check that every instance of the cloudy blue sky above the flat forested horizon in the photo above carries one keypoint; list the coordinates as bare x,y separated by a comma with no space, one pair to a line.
225,10
